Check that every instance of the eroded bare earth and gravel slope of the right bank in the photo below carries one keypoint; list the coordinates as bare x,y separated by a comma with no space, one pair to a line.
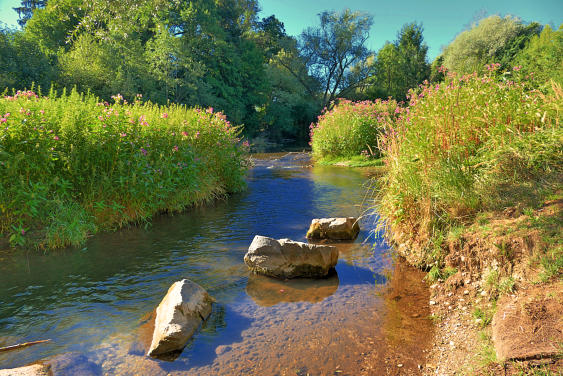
493,324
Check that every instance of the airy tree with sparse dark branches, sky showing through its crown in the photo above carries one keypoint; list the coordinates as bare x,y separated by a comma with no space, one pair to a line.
333,49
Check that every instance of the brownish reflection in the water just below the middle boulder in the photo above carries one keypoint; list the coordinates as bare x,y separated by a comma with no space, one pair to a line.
267,291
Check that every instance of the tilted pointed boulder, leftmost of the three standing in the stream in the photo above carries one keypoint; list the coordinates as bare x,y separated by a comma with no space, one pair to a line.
178,316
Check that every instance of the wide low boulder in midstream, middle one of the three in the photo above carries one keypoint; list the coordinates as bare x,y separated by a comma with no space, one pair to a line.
286,258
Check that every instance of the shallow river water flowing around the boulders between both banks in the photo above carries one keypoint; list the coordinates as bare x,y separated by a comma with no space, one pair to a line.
96,303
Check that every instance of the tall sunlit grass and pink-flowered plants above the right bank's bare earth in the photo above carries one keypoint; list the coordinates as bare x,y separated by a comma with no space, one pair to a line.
469,144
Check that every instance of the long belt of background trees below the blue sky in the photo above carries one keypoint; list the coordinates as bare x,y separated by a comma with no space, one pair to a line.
217,53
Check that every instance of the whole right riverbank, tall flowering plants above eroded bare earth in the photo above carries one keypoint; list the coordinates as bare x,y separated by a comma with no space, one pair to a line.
473,196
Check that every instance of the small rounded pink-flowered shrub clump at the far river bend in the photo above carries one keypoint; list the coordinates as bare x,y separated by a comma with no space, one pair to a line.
351,128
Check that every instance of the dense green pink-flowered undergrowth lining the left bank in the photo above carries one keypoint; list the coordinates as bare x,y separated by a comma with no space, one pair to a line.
71,166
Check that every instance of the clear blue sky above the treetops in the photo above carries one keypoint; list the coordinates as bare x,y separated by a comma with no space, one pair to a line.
442,19
